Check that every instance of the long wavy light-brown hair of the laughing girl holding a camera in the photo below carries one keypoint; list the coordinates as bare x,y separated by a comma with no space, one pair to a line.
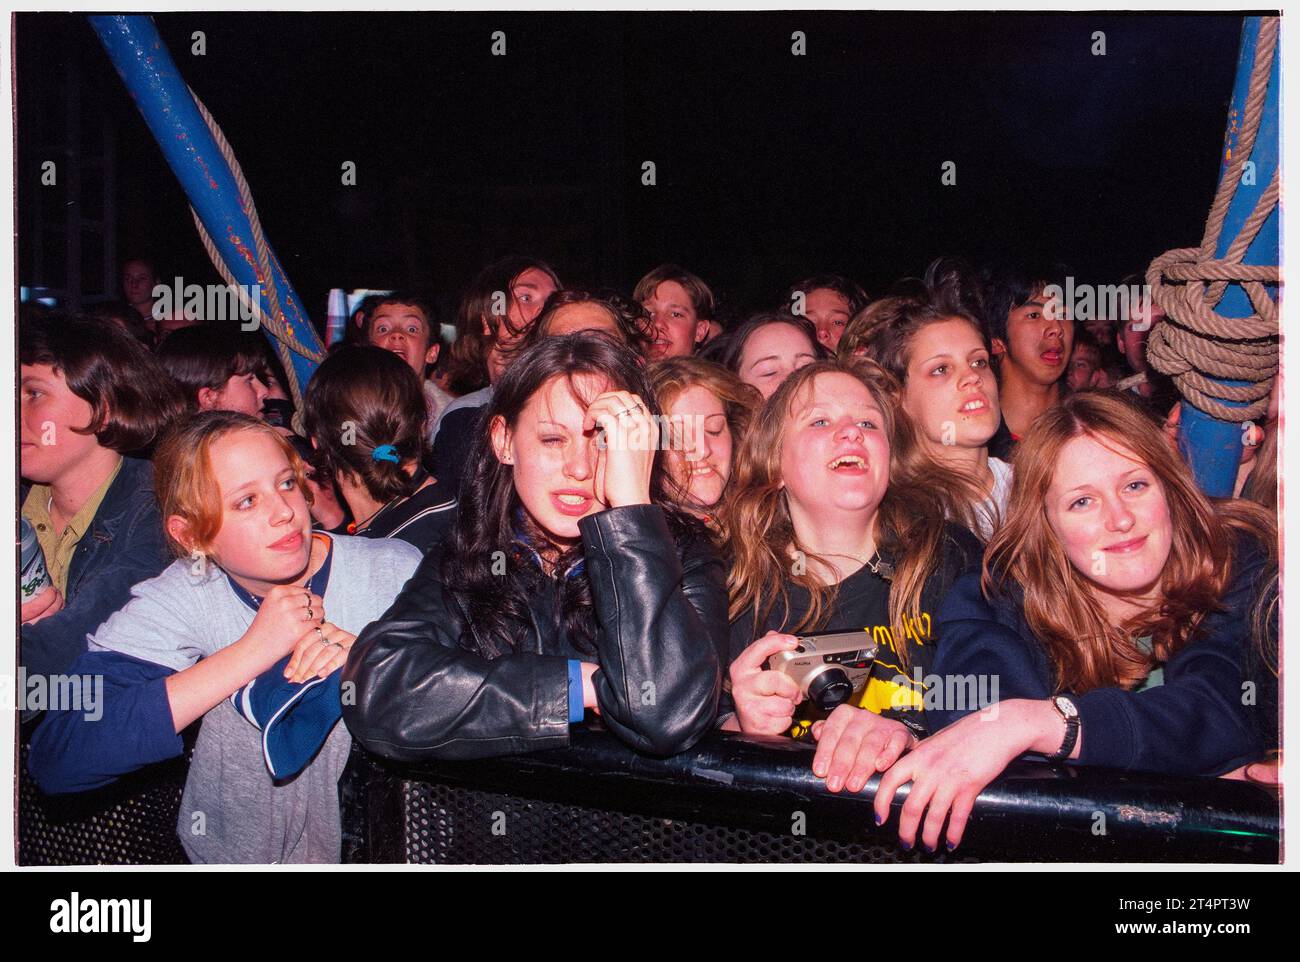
756,521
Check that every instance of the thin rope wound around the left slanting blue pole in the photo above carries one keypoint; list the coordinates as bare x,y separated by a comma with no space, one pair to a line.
275,320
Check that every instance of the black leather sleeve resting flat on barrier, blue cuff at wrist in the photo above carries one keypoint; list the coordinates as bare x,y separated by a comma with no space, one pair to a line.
418,695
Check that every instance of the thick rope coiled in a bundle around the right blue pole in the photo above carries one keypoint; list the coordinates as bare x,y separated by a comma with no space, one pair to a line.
1195,345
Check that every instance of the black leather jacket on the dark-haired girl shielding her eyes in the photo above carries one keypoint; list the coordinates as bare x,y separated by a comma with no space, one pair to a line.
422,692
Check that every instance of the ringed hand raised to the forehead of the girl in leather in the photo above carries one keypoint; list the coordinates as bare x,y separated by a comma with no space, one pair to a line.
631,440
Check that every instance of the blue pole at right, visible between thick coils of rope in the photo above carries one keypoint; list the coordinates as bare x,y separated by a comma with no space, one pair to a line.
1215,448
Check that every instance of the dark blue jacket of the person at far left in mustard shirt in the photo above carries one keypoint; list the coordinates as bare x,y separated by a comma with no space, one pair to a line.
123,547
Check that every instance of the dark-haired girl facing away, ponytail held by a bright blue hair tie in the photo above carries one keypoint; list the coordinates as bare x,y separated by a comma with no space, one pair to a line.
365,413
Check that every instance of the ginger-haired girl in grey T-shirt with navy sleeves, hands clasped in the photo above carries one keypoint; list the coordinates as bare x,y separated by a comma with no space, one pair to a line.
253,588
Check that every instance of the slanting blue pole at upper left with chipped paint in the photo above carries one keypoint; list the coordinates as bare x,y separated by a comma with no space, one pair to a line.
163,98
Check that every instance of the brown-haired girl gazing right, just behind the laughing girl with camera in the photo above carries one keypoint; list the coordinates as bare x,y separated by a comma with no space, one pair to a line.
937,346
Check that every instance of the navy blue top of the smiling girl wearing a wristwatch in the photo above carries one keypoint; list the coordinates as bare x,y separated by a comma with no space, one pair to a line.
1193,725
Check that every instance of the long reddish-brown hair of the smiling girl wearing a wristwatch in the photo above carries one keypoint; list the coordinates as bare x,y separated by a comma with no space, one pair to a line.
1060,606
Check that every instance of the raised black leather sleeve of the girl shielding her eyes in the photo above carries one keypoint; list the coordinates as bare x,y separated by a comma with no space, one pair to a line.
662,629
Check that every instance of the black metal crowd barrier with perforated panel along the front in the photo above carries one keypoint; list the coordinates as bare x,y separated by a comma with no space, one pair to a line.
733,799
